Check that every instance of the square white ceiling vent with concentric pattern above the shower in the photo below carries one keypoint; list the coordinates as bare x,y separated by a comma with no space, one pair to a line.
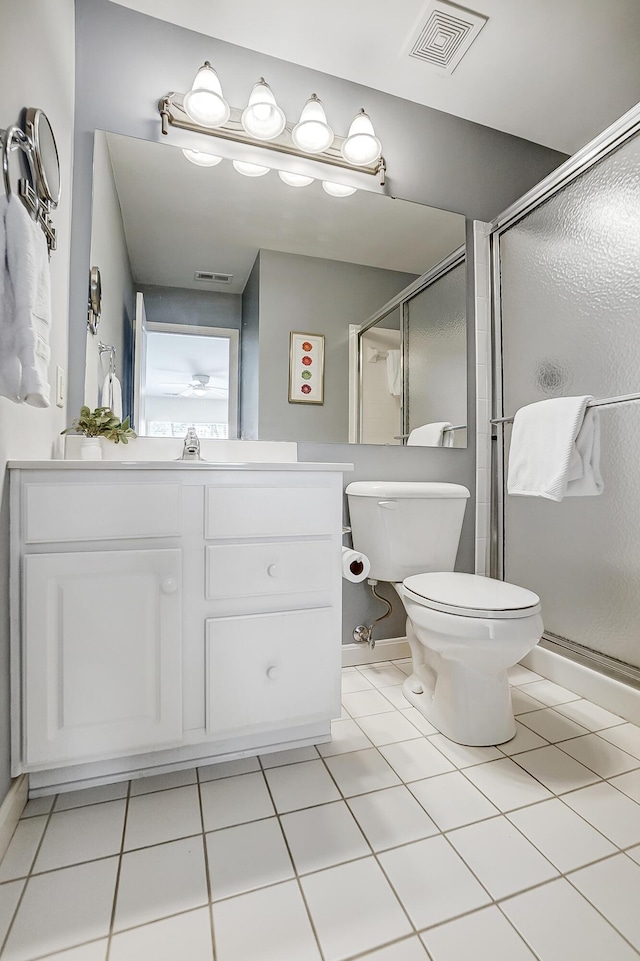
446,35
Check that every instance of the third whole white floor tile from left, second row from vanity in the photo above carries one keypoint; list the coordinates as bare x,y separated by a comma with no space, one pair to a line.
233,800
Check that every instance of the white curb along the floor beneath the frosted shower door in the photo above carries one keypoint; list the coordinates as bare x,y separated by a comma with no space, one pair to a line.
607,692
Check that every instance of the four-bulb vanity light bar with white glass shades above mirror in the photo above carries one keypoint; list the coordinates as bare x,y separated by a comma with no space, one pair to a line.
262,123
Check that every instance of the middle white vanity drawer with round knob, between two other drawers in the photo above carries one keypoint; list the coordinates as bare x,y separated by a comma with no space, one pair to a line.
269,570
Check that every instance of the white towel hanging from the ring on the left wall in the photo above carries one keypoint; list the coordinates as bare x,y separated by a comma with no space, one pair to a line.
28,270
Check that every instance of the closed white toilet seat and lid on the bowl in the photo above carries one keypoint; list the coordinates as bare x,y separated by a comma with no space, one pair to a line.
471,595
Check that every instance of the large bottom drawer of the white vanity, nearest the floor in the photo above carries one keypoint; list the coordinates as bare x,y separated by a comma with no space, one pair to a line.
272,669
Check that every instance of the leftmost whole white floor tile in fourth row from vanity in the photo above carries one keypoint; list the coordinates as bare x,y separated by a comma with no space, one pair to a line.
353,908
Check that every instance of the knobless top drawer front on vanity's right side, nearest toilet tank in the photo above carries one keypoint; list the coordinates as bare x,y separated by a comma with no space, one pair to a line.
266,511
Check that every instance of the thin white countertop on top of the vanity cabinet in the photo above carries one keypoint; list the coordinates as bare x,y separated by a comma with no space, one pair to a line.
171,465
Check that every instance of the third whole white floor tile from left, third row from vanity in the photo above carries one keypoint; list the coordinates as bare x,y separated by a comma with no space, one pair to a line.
247,856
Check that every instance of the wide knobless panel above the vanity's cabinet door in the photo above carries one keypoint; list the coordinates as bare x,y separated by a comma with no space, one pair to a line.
88,512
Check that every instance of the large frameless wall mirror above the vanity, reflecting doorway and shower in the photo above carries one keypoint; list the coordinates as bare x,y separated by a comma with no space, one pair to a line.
206,274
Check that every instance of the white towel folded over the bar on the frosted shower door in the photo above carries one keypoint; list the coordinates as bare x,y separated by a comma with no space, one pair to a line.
555,450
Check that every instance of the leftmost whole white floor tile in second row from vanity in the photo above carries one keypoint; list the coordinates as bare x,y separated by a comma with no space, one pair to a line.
81,834
